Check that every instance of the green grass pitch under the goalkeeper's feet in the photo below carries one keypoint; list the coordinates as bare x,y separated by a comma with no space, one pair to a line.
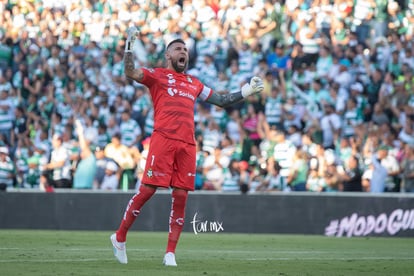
38,252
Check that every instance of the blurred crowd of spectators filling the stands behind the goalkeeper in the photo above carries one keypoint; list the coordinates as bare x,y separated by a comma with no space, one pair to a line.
336,114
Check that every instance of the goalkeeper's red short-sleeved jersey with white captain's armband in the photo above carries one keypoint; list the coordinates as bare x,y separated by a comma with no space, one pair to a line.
174,96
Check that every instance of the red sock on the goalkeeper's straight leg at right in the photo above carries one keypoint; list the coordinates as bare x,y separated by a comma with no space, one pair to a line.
179,199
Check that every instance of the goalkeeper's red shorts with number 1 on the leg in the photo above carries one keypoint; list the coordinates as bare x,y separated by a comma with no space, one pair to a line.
170,163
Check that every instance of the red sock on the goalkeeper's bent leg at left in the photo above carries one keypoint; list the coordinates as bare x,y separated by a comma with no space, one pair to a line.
133,209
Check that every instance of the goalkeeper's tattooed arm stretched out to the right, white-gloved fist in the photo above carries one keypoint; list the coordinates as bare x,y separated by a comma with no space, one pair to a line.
225,100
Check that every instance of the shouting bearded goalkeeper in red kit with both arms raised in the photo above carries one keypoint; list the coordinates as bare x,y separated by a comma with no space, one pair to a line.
171,161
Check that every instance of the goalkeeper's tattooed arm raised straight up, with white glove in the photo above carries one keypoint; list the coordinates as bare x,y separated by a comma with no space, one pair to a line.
131,72
